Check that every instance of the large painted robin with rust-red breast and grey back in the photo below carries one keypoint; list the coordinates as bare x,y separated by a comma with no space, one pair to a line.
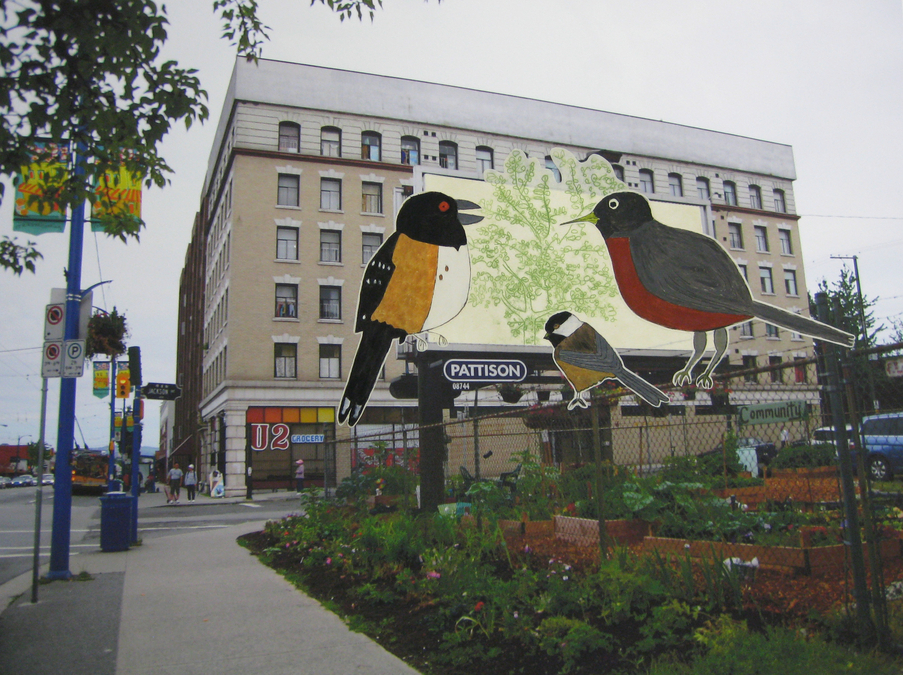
685,281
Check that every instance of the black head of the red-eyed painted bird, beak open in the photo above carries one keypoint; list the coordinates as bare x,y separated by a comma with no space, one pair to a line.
436,218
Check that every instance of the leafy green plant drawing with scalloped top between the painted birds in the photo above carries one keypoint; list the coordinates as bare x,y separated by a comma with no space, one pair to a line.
525,261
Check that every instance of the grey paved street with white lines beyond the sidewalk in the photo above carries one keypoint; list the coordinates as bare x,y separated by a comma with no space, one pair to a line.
155,519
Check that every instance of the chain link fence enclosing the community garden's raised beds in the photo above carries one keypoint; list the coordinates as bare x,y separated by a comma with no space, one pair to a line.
748,472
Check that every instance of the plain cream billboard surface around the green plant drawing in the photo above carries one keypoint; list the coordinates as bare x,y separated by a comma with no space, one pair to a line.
487,324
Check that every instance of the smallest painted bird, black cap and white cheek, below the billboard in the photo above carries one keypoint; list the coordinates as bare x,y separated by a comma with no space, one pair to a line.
587,360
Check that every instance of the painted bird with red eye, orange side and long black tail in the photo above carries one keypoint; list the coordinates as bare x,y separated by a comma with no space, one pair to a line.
418,280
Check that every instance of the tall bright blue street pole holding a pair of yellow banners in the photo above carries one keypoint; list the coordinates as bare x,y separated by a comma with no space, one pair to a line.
62,491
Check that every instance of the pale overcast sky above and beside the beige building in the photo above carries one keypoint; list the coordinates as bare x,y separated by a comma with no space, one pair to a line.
823,76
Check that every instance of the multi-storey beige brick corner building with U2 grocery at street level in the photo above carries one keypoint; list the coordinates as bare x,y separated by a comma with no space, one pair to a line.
307,171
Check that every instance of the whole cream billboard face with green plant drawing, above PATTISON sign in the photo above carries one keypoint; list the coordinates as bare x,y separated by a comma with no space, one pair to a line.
526,265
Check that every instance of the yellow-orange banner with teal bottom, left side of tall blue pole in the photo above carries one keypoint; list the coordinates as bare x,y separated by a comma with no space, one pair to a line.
38,181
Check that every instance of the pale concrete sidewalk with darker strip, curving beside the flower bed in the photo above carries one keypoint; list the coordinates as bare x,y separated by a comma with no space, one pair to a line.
185,603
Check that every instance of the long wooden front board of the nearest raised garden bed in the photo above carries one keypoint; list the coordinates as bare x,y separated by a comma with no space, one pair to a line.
792,559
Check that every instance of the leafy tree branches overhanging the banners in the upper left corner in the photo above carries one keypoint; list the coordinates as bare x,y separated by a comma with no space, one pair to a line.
91,73
